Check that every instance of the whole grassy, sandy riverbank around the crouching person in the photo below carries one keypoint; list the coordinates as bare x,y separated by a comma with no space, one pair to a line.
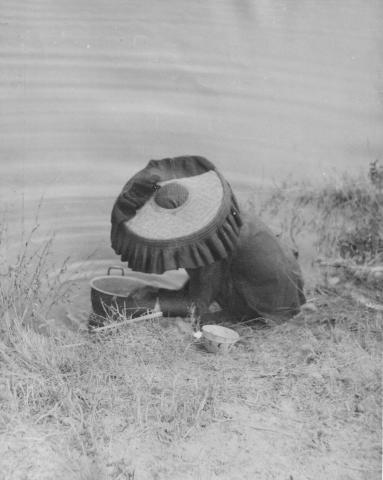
300,400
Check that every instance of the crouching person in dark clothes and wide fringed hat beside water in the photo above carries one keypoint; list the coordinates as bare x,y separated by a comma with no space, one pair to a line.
181,213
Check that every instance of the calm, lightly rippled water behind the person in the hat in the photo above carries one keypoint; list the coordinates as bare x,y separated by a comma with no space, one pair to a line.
92,89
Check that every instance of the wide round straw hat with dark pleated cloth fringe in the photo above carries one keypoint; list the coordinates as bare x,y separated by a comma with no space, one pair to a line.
175,213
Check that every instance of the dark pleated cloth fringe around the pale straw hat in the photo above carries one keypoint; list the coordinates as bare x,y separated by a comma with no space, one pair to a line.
212,243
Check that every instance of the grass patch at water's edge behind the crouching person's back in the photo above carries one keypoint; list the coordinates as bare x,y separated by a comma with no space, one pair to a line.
341,217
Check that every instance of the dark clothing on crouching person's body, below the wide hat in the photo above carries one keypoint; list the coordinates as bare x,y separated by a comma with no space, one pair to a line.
261,279
